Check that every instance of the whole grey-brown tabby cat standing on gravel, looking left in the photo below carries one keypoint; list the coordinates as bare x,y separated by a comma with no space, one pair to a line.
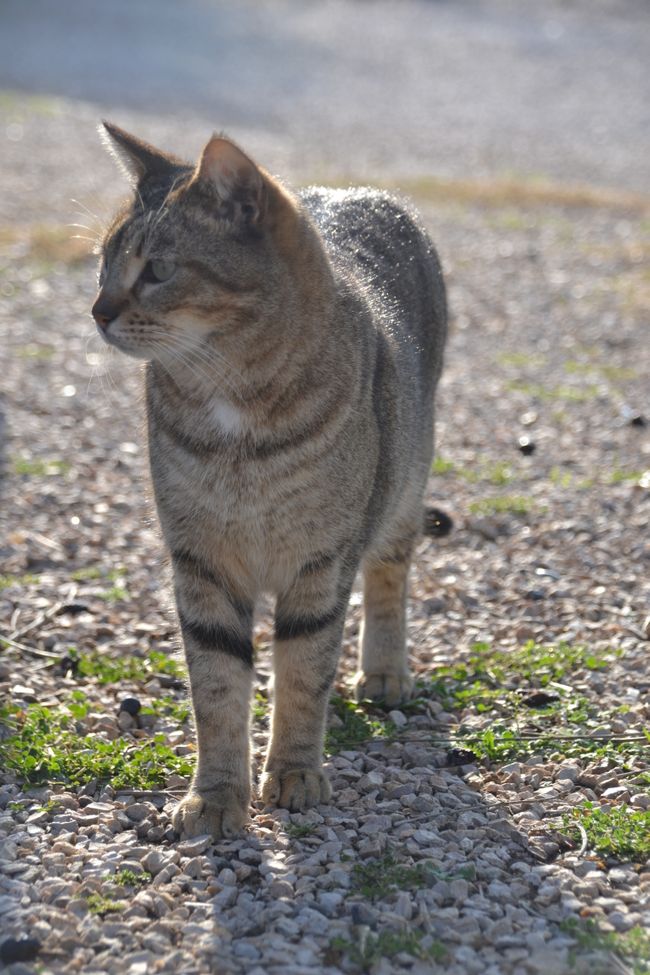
293,346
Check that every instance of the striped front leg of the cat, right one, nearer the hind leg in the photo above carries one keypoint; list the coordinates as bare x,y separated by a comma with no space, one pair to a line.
308,630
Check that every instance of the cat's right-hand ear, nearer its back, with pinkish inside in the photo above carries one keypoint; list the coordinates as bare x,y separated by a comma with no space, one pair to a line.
238,182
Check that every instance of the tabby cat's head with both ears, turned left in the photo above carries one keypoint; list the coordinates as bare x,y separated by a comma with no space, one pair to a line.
195,256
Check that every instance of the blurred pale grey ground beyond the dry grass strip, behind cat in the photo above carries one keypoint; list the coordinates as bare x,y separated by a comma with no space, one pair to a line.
342,89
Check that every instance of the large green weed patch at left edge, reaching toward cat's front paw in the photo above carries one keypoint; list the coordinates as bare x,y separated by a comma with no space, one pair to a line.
44,745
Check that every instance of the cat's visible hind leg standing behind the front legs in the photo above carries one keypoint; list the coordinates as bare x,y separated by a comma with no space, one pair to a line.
384,672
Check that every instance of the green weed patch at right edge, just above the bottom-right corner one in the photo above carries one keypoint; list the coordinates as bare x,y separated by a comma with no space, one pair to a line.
618,832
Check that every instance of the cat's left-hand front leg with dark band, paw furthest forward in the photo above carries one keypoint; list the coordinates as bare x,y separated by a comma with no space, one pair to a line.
217,636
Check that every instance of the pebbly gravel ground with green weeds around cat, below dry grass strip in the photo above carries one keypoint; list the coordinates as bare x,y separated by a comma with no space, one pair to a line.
459,839
